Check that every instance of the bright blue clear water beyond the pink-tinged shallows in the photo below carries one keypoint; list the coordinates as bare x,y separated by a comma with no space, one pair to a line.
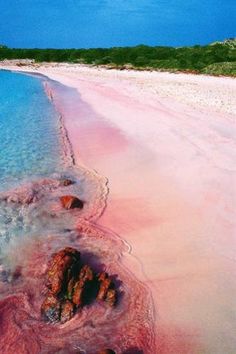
29,130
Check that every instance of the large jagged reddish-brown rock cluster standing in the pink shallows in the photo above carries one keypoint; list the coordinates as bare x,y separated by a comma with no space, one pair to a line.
71,285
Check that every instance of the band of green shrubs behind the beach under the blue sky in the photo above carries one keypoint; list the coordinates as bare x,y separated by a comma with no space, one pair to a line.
218,58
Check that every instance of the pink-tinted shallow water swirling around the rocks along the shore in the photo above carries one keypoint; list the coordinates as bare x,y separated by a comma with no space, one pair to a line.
99,246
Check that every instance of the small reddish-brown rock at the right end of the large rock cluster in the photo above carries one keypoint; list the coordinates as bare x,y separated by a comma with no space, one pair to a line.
106,291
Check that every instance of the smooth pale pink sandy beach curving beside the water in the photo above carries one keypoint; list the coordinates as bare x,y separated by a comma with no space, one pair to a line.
159,203
